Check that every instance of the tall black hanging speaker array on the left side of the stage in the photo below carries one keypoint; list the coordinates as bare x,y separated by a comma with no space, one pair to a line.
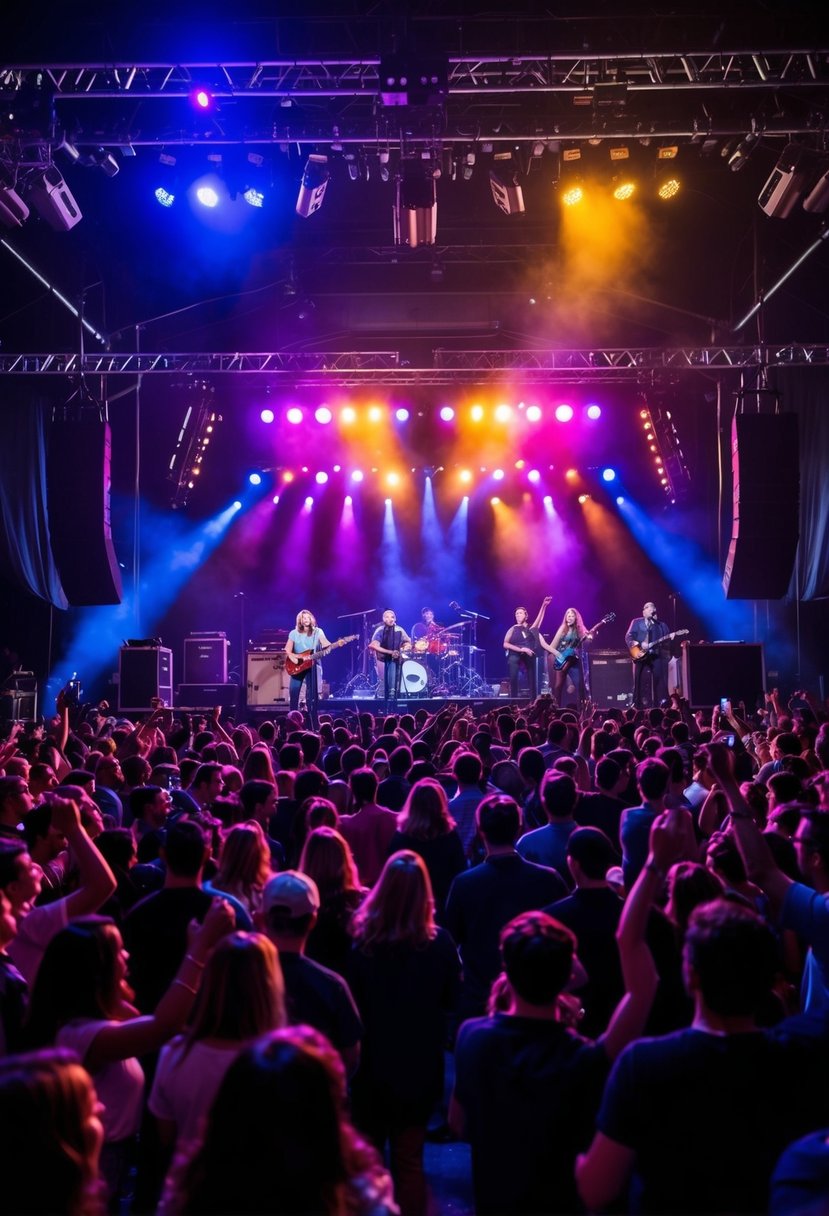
78,486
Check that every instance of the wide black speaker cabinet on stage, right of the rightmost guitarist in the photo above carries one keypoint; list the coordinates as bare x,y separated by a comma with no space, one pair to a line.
724,669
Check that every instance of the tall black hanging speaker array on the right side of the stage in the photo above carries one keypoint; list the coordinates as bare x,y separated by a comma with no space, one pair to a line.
766,510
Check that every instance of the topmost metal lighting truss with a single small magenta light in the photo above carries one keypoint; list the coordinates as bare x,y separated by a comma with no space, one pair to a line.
497,99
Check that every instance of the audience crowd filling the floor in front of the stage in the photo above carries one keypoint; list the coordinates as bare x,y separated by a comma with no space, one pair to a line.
253,969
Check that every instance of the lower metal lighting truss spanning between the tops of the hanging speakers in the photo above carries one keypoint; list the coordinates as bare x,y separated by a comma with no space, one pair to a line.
365,368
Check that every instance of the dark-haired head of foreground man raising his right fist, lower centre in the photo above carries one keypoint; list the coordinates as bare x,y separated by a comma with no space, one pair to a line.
538,956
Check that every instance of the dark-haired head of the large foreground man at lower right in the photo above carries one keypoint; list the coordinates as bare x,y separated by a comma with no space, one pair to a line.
734,955
